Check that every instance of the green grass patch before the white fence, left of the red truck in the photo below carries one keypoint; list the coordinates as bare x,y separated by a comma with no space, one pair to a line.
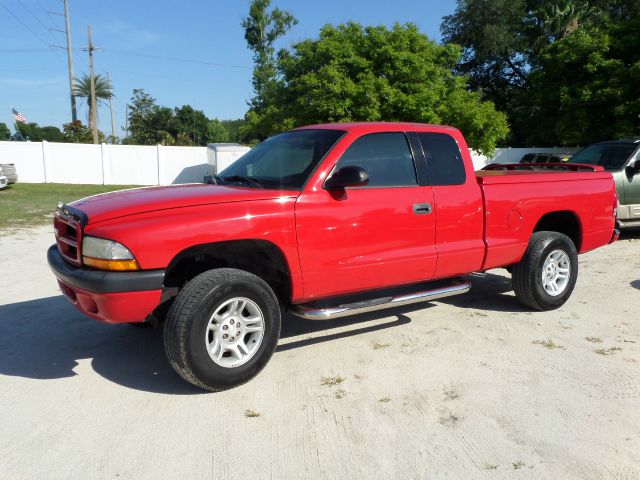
31,204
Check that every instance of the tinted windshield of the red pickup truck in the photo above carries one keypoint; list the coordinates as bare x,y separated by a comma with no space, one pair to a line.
284,161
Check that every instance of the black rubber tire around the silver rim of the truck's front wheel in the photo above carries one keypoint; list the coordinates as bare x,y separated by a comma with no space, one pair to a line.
188,317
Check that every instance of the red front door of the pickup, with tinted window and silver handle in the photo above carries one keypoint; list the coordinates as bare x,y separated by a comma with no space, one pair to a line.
375,236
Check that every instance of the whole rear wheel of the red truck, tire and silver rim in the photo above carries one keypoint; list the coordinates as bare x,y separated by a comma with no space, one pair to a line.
547,274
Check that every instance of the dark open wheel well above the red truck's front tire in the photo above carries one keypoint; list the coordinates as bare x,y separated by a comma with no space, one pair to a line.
262,258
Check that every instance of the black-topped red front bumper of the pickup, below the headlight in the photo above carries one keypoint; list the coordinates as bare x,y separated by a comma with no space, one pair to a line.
110,297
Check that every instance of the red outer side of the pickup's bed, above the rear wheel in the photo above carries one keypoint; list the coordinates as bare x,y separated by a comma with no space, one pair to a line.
516,200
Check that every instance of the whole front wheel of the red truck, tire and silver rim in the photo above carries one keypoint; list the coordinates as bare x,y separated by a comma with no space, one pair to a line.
222,329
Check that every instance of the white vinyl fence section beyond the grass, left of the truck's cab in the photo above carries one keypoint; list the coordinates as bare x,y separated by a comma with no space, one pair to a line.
46,162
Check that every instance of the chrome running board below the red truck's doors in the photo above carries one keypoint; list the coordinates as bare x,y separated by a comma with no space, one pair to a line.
329,312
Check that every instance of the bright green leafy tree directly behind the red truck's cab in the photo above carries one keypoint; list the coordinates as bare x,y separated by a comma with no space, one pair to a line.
356,73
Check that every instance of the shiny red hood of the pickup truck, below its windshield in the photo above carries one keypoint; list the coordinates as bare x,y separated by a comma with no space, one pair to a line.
111,205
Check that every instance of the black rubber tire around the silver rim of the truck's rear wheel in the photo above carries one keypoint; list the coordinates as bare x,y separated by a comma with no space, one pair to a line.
527,274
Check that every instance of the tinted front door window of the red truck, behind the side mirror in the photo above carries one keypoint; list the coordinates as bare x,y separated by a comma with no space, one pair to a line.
386,158
